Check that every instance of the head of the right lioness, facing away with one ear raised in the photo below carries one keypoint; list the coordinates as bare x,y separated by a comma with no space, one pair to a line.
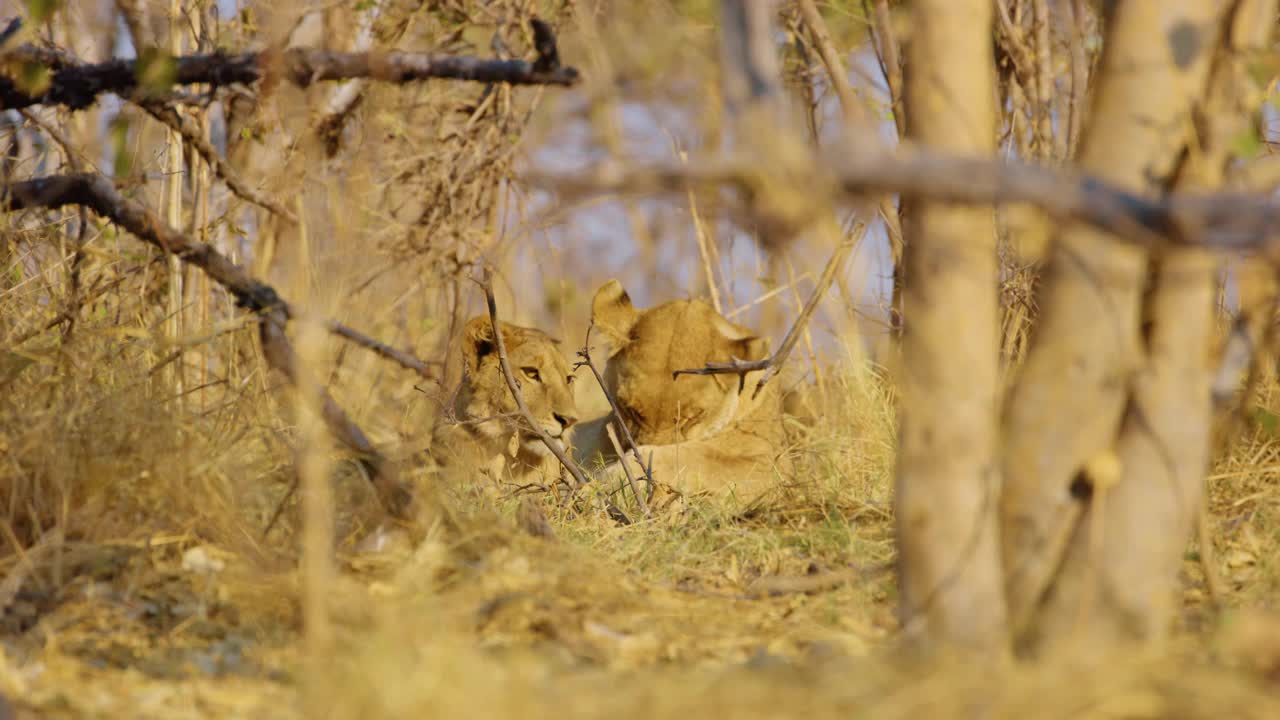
651,345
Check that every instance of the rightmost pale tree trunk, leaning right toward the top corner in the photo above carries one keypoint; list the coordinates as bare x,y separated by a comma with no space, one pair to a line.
1140,527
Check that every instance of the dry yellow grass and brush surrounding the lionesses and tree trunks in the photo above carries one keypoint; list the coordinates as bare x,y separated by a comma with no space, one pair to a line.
152,534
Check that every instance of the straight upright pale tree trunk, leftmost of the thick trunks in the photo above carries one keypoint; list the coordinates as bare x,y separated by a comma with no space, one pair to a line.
948,476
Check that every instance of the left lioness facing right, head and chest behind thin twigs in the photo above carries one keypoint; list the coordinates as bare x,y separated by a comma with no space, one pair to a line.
486,432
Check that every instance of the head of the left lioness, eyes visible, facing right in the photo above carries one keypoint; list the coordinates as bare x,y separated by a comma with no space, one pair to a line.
486,407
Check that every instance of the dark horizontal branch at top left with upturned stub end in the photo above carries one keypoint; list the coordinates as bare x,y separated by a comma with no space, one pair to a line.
77,85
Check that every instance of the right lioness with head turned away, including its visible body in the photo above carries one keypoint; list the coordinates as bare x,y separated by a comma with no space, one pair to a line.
706,432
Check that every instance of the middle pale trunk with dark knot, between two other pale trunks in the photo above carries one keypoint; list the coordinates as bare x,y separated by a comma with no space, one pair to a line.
1069,404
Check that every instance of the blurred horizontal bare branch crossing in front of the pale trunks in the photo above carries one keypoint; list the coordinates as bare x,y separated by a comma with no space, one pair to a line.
1226,221
